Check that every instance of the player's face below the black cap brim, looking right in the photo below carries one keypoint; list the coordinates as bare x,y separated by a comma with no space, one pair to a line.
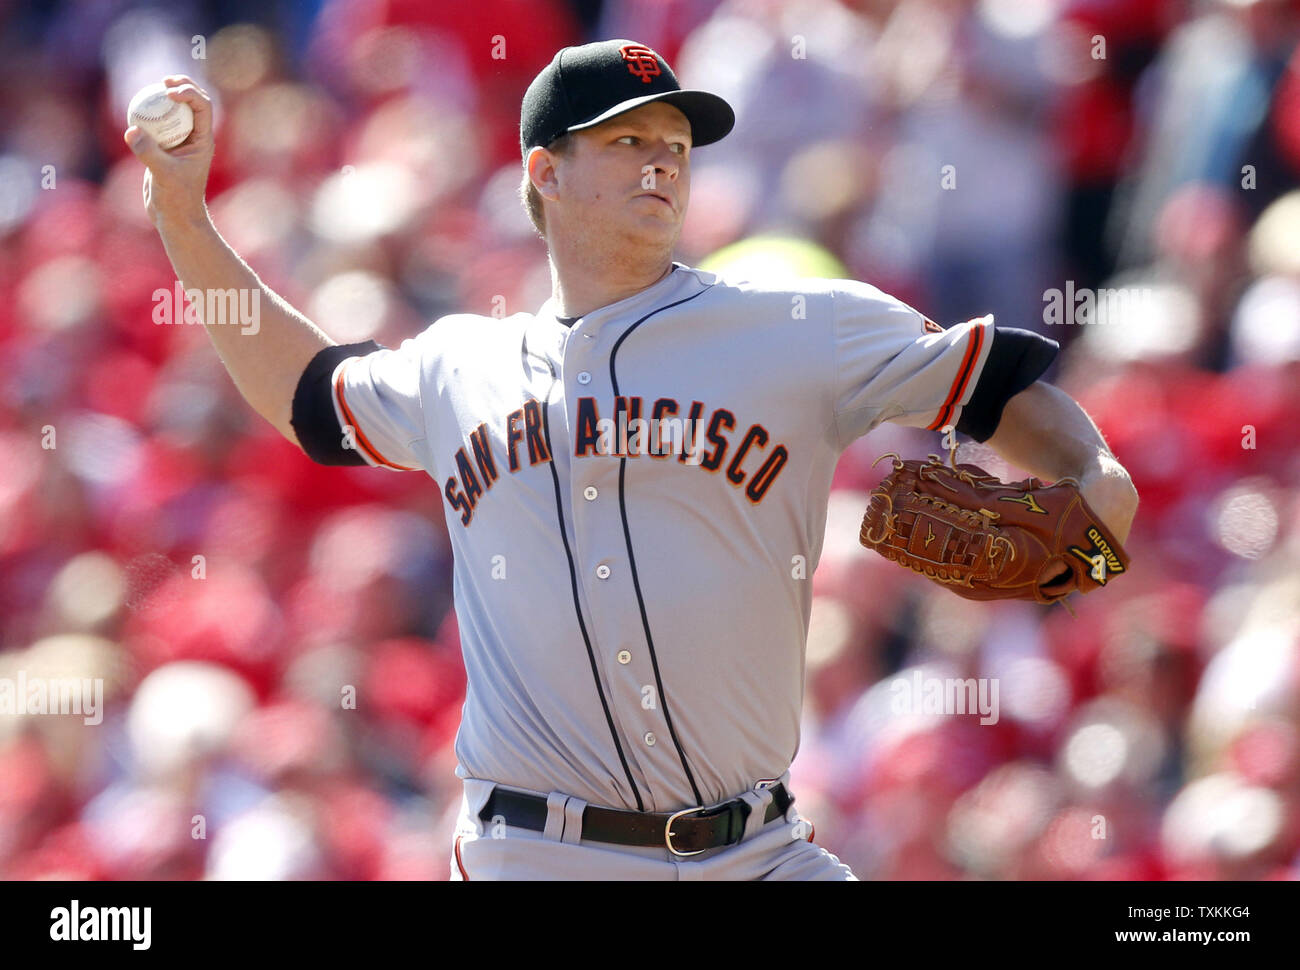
629,180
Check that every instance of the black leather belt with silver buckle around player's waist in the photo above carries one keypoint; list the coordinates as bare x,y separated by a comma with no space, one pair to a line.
684,833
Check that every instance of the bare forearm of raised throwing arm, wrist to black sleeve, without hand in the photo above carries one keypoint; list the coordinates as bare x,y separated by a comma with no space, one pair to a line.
265,361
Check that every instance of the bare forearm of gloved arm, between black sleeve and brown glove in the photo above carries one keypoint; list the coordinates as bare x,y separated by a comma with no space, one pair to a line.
1047,434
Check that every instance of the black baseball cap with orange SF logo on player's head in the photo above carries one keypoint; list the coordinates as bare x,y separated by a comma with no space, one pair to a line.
587,85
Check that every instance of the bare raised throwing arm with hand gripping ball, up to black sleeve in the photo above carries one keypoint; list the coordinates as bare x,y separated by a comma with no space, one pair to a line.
266,356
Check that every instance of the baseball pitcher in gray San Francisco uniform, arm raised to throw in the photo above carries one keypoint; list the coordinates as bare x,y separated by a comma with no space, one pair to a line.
632,479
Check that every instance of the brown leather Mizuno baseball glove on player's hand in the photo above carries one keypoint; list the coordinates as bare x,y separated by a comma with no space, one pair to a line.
990,540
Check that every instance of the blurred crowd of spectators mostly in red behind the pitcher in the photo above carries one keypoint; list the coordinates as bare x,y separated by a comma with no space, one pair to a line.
281,666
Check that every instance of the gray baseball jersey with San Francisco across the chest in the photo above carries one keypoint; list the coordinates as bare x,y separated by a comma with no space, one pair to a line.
636,503
